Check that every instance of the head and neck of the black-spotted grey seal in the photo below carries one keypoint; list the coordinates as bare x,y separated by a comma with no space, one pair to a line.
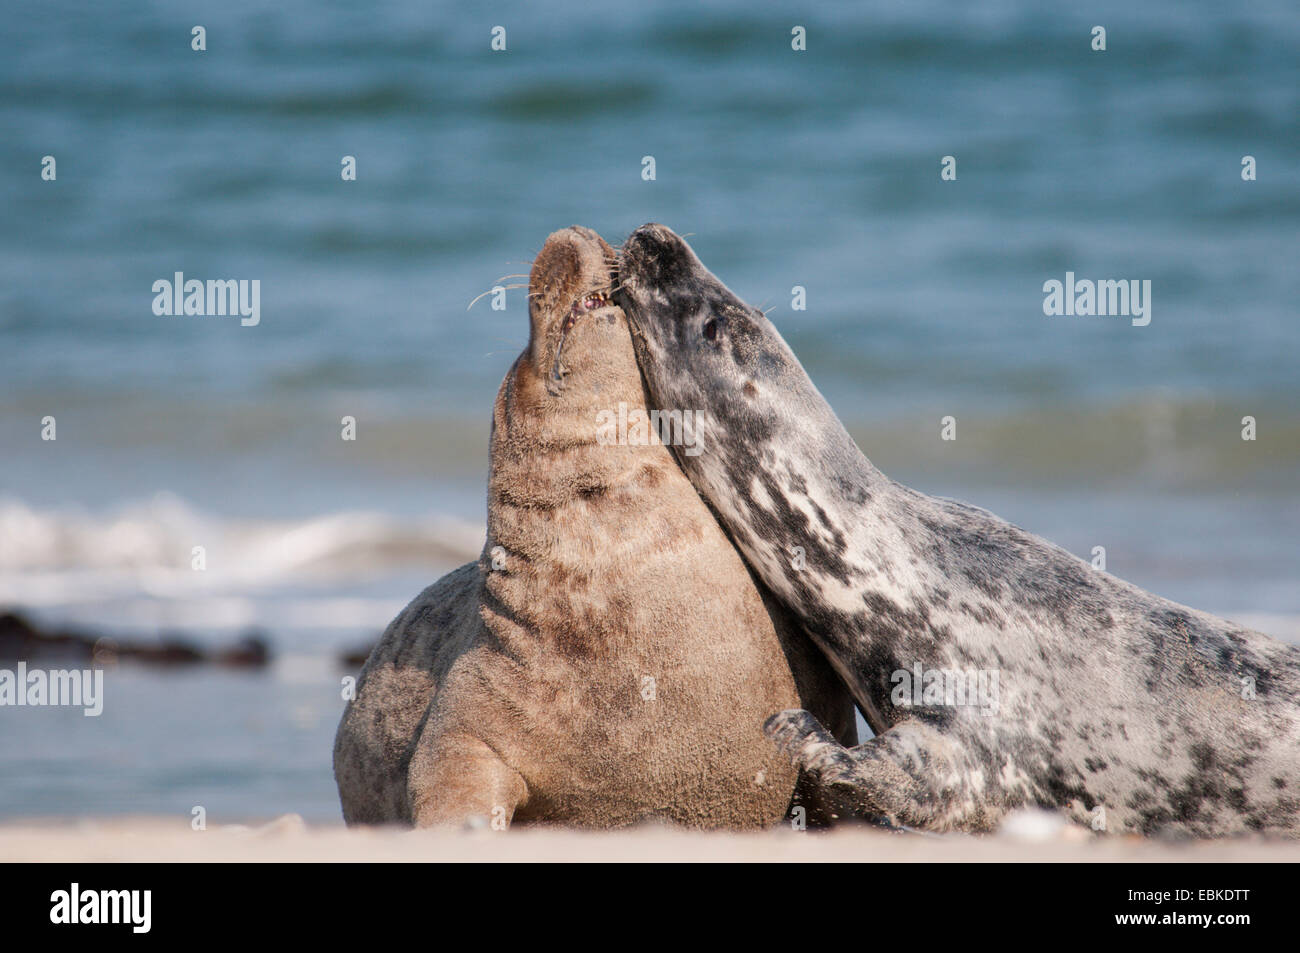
773,450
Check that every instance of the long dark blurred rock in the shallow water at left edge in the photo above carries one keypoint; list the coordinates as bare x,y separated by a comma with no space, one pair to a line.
21,640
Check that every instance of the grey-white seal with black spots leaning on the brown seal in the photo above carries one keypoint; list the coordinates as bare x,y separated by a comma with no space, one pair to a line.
1129,712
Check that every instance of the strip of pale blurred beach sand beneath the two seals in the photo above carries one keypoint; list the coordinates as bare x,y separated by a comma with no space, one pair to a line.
289,839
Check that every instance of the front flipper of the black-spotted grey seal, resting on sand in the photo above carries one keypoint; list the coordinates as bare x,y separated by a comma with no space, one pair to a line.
894,778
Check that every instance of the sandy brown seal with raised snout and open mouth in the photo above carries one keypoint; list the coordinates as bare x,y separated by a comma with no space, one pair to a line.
609,659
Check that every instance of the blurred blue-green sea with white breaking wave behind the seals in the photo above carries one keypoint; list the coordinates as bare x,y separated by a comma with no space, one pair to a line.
820,168
